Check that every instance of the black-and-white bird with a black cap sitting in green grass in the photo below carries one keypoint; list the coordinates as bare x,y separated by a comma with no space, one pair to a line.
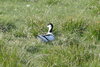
49,36
